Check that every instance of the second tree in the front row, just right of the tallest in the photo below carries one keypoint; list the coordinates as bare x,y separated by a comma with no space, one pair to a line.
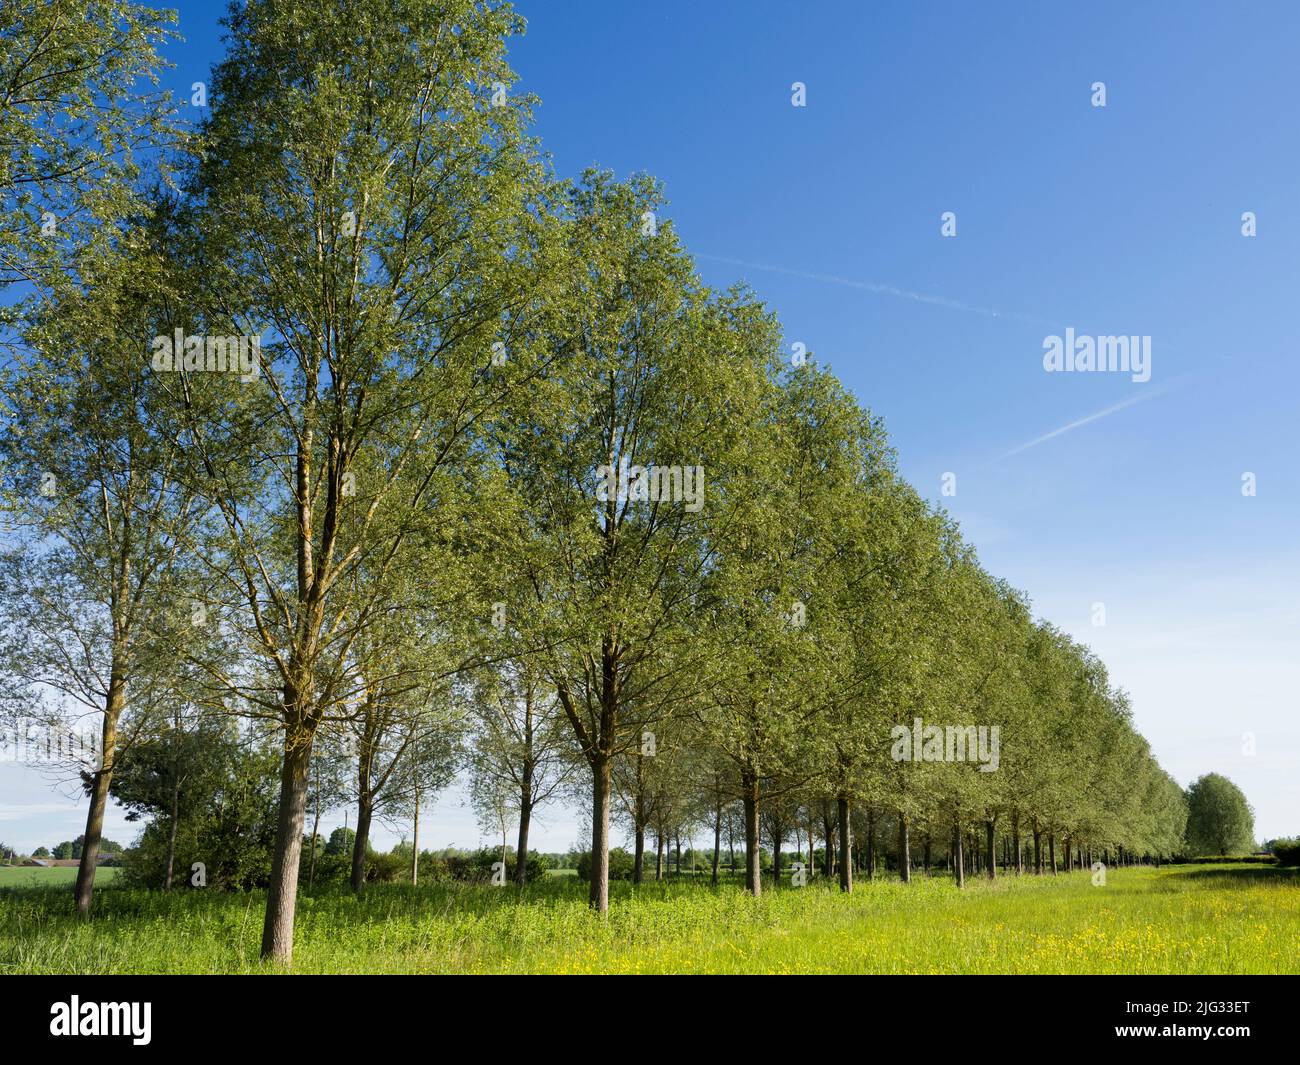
622,466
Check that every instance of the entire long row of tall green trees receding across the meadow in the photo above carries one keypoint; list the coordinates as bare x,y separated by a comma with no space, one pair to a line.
348,421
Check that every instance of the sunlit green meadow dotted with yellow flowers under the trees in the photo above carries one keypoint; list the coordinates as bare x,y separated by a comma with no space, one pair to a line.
1224,919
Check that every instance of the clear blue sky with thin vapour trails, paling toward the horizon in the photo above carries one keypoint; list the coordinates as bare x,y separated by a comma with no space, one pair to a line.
1117,220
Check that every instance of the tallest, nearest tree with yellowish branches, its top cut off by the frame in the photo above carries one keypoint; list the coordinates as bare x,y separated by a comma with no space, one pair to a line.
366,188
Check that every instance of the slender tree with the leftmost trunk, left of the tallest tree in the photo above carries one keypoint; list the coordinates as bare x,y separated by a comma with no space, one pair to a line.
97,583
